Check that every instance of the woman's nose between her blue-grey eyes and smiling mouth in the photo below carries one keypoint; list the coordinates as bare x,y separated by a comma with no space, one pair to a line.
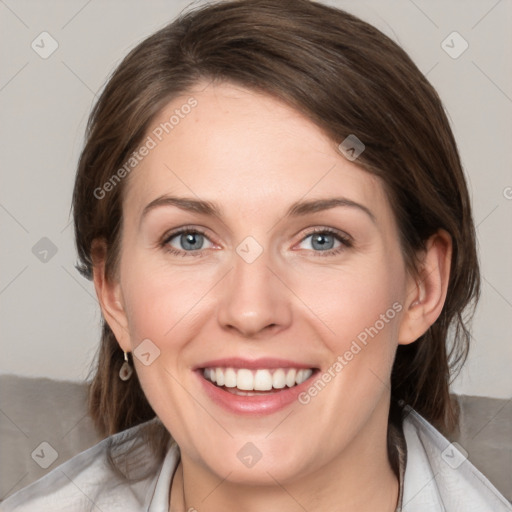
254,300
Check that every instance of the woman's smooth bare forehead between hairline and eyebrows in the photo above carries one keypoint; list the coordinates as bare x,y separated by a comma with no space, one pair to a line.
241,148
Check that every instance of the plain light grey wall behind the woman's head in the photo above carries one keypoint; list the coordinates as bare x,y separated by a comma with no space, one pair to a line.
49,314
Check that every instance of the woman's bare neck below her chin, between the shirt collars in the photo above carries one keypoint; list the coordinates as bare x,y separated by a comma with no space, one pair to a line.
358,480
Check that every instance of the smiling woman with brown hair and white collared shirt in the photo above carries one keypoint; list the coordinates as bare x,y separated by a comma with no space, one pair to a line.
272,208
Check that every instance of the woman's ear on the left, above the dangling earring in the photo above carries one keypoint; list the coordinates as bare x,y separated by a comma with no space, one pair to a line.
110,296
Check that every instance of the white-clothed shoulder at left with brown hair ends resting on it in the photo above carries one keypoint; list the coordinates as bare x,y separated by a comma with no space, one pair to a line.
116,474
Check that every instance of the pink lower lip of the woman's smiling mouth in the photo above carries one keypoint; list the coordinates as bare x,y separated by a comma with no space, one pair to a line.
256,404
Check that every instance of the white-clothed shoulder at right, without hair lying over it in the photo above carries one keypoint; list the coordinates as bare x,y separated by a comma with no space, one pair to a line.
439,476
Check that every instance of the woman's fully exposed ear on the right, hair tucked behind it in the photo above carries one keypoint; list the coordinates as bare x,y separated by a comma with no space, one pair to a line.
427,293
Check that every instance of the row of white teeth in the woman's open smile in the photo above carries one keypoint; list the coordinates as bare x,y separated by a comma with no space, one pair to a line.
257,380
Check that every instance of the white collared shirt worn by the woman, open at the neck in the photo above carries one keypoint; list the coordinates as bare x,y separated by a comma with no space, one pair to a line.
438,478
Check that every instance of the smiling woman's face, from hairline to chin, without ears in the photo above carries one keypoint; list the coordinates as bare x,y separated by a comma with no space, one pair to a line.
273,282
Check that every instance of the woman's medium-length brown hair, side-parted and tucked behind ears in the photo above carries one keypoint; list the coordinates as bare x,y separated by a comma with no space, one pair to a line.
348,78
